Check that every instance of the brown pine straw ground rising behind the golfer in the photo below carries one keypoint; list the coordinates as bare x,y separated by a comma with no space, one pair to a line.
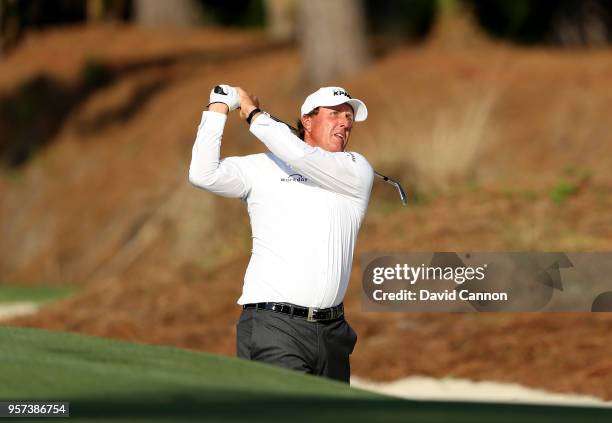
485,139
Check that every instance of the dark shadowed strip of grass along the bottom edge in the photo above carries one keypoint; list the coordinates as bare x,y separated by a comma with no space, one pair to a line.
246,406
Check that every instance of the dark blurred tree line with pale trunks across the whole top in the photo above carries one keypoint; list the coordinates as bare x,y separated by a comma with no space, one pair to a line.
337,36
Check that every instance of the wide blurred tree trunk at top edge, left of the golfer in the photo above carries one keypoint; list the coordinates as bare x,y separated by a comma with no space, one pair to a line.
180,13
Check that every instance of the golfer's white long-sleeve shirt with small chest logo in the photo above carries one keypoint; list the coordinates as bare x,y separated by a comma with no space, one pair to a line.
305,204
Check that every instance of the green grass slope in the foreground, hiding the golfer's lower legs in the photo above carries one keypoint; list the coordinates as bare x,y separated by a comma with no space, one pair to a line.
111,380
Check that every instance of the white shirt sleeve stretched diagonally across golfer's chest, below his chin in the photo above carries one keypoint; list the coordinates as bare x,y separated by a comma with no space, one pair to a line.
347,173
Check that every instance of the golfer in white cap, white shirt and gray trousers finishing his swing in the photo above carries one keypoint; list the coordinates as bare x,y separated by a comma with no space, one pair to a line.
306,200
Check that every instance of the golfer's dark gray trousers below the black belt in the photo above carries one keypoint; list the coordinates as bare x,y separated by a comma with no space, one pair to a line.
319,348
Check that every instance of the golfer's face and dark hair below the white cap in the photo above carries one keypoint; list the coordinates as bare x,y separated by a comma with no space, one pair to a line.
330,128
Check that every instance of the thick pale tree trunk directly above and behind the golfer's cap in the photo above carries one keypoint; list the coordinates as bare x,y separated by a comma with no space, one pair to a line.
332,37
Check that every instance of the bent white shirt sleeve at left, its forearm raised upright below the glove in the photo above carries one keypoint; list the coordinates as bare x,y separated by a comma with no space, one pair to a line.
223,177
